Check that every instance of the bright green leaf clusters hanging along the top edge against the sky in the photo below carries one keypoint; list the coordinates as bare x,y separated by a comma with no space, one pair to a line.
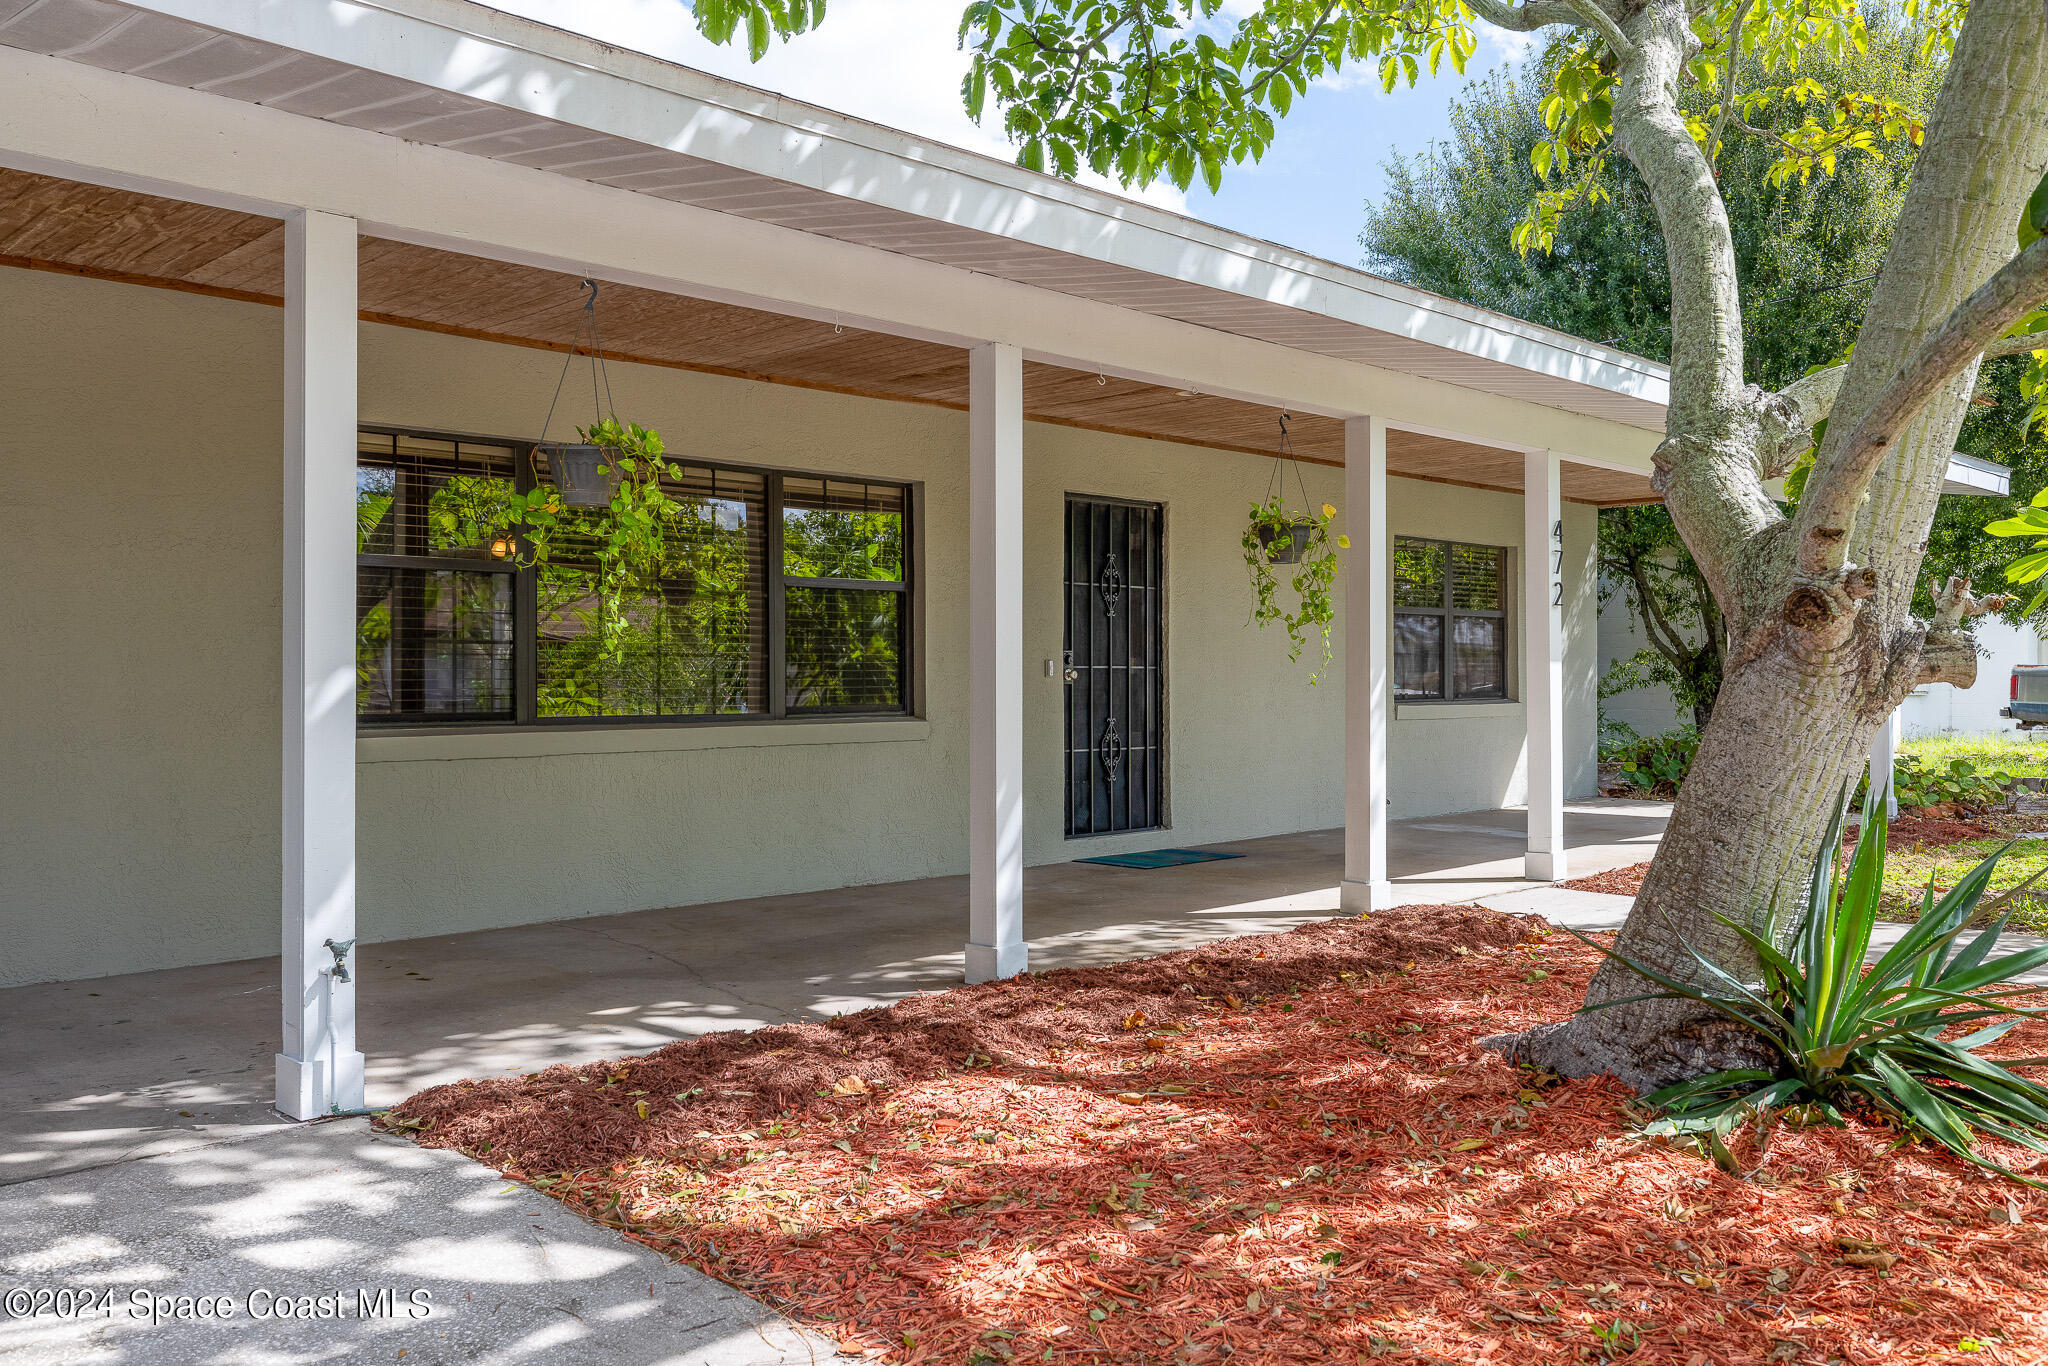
1183,89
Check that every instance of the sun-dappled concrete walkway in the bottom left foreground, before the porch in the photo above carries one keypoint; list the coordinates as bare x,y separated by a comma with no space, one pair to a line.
425,1254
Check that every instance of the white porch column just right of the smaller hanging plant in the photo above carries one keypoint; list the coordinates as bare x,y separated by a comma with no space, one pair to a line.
1367,640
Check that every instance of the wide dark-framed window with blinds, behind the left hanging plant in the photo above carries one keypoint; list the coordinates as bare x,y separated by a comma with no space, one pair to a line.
779,597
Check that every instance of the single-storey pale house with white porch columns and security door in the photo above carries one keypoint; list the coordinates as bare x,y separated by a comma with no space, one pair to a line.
284,280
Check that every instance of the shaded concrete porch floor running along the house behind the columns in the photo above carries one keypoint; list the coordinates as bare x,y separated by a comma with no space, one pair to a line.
120,1068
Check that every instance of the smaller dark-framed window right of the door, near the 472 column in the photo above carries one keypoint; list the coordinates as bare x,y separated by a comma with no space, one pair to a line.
1451,622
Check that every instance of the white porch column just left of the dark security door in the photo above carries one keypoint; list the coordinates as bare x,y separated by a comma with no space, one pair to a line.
996,673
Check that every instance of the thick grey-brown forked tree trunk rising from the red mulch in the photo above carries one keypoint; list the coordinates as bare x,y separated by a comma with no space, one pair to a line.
1814,660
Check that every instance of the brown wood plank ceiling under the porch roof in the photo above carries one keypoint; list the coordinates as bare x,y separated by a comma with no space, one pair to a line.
77,228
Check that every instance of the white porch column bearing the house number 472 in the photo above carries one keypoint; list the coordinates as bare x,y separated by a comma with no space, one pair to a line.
1543,663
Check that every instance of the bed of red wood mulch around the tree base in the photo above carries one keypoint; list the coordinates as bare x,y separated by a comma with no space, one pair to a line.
1273,1150
